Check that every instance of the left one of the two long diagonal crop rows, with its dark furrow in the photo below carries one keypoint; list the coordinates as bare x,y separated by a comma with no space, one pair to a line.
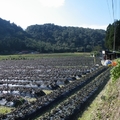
27,111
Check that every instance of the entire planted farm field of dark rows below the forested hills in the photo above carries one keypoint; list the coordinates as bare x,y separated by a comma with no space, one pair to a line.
48,87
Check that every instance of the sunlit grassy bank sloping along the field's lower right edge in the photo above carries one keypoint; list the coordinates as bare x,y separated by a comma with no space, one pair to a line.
106,106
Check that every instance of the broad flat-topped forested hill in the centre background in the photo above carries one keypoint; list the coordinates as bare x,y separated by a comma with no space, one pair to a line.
71,39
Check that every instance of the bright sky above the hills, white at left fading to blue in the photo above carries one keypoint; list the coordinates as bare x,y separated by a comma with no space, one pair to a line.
95,14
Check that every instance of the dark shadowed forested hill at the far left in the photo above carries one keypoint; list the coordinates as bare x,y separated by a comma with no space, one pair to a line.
12,37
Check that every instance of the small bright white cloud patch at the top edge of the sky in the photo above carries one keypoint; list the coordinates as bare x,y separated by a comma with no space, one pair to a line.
52,3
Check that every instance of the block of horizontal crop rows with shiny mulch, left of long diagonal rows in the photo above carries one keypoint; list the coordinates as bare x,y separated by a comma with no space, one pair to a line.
27,78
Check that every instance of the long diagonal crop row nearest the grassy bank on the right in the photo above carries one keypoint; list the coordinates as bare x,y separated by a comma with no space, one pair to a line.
66,109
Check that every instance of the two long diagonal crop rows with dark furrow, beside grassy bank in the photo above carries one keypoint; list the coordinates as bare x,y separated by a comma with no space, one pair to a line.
63,103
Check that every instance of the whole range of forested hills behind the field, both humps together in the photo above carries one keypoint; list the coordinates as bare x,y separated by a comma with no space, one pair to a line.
48,38
